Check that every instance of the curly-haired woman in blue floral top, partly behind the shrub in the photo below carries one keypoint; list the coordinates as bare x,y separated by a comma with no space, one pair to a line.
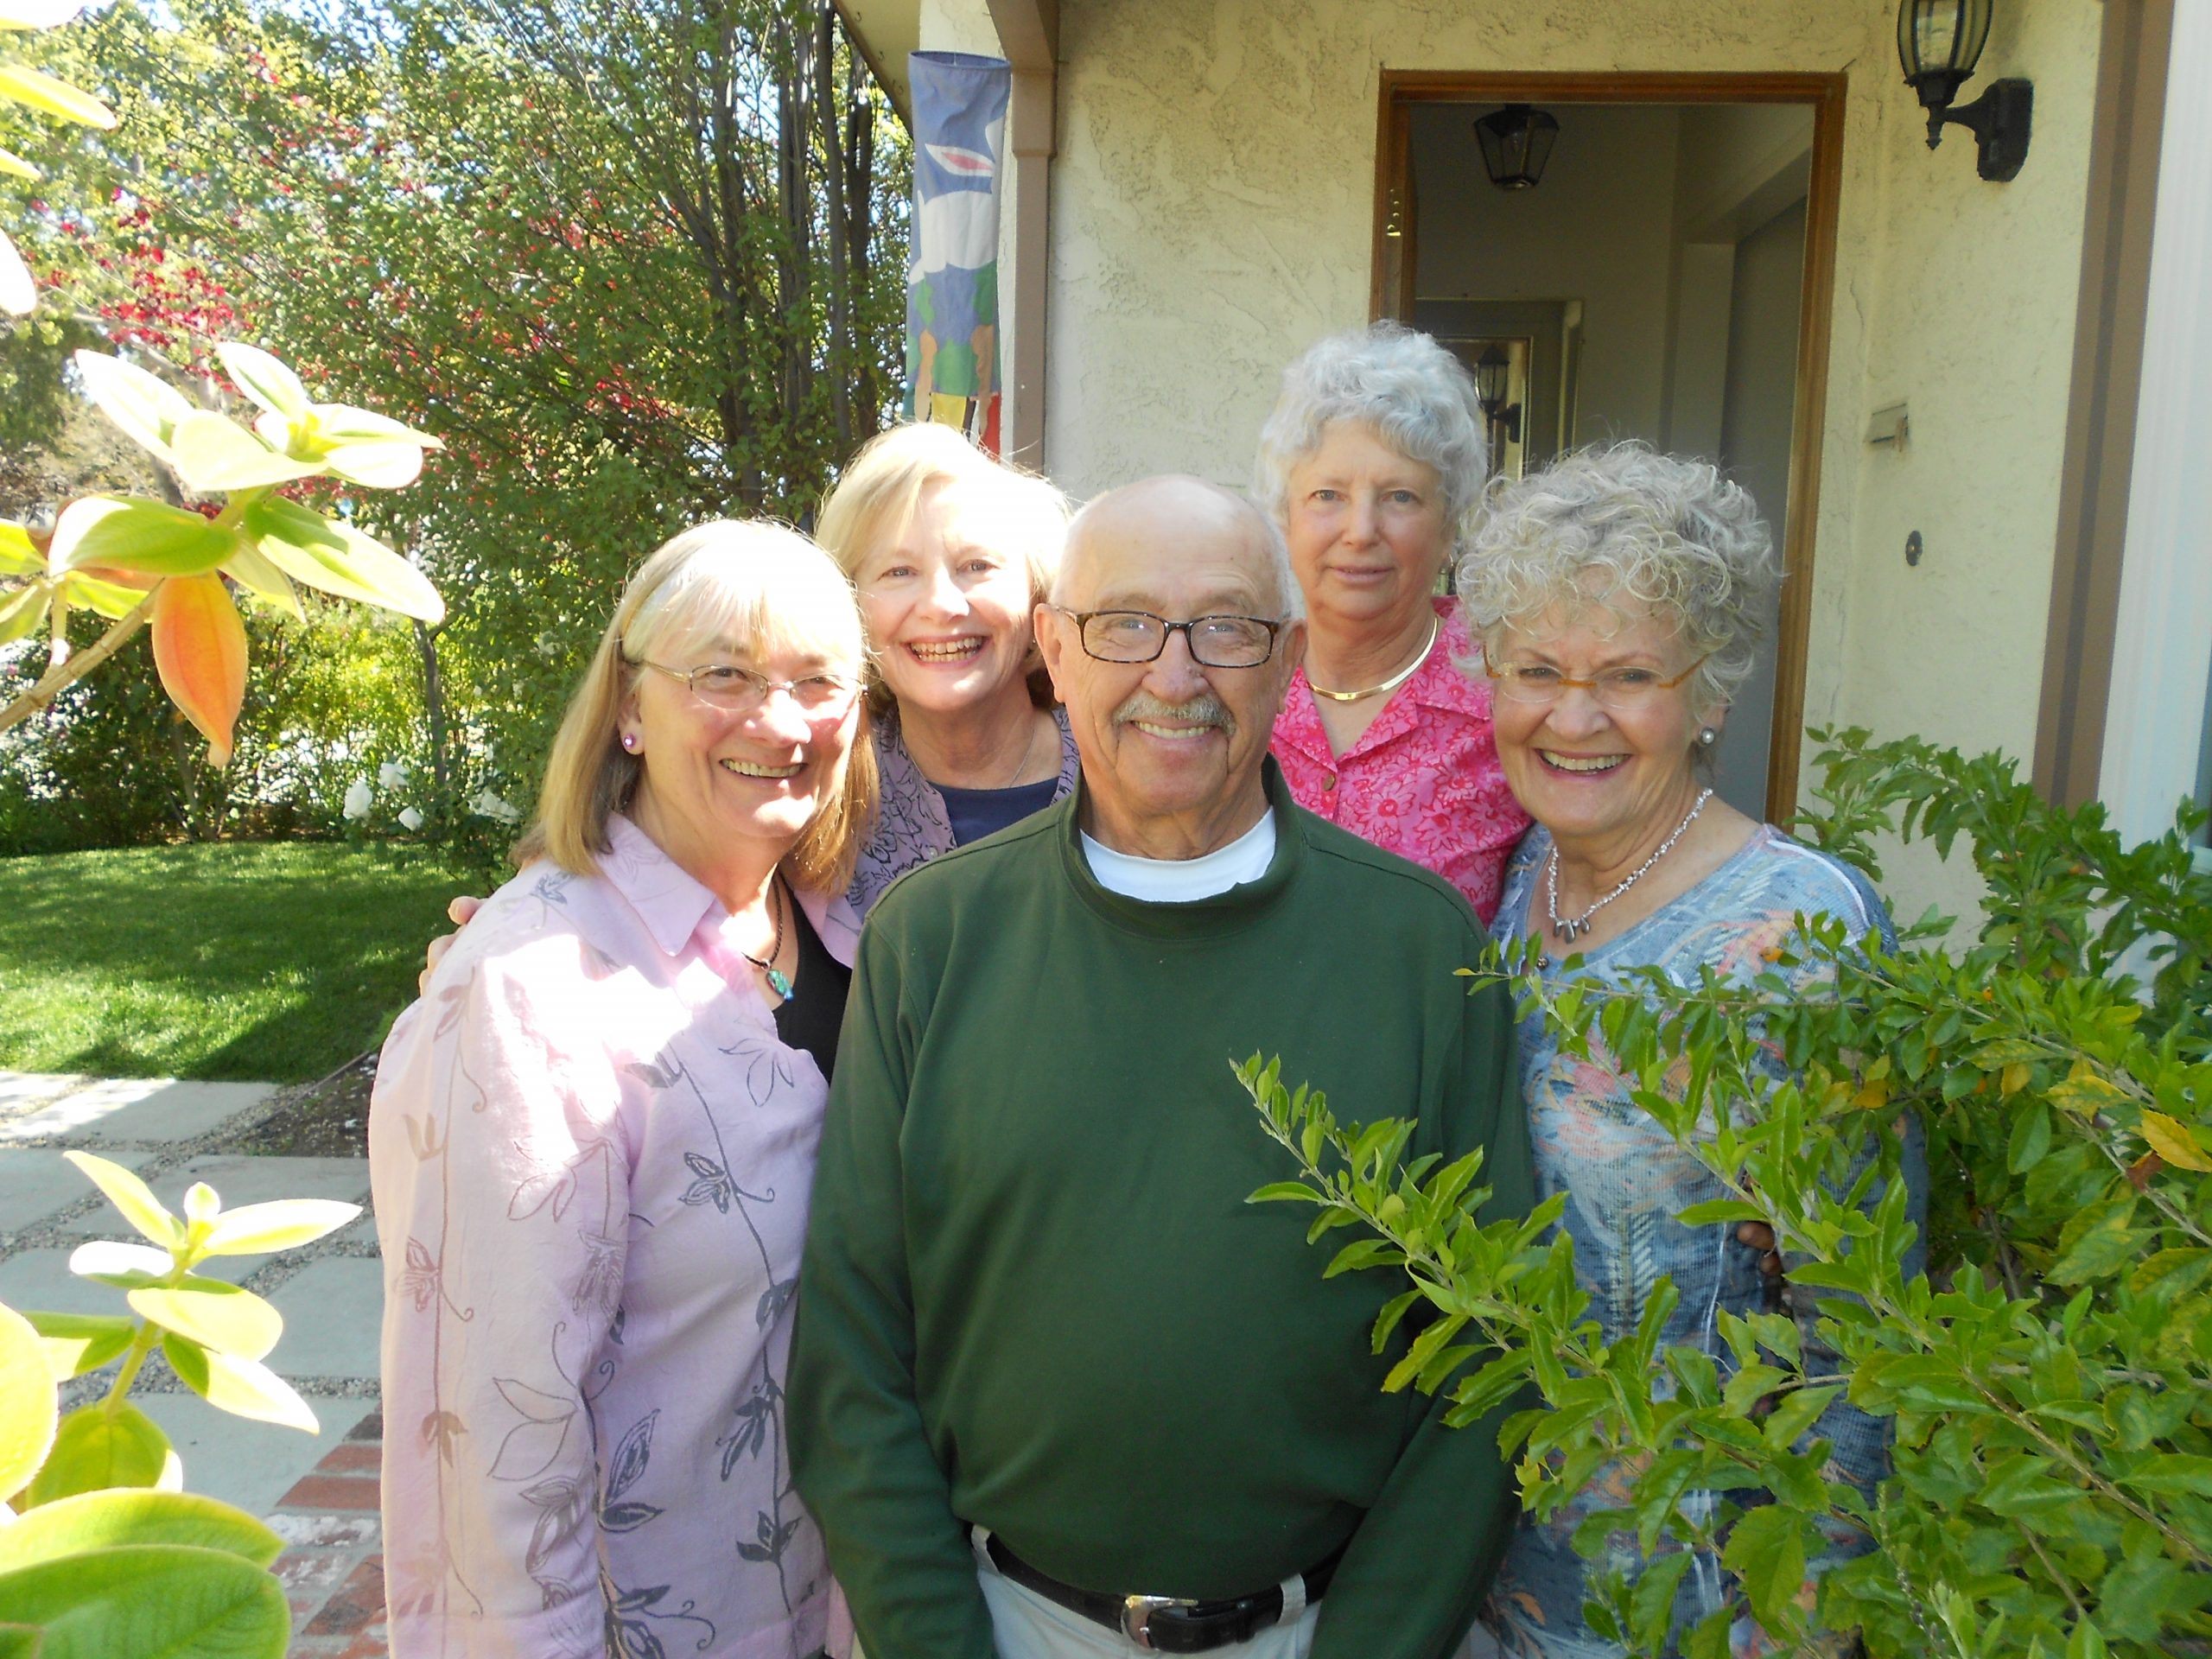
1618,598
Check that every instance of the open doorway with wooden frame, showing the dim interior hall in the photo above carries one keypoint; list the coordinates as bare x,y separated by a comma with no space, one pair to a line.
1667,280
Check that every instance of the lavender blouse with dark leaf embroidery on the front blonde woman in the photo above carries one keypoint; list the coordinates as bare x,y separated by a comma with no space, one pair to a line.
592,1167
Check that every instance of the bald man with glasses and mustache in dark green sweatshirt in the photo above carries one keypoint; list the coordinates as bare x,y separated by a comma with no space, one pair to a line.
1058,1390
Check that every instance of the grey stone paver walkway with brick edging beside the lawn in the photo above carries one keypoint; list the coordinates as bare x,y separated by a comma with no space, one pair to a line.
320,1492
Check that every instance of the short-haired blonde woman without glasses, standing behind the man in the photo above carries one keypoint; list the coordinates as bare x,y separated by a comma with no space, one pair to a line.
950,552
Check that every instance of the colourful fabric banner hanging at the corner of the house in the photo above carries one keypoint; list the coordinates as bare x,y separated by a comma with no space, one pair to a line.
952,282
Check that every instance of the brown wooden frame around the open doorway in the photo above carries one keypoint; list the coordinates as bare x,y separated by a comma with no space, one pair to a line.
1826,96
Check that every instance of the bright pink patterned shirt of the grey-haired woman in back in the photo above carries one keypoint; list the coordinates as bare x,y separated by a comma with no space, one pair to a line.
1423,782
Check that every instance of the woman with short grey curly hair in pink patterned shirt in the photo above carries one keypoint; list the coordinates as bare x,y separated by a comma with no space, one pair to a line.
1373,466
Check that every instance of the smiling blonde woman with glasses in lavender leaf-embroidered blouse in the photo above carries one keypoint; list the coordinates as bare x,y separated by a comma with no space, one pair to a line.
594,1140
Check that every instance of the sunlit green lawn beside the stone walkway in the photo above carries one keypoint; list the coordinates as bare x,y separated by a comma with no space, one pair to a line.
262,961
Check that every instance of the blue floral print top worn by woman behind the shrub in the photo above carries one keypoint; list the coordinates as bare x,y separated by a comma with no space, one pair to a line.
1627,1182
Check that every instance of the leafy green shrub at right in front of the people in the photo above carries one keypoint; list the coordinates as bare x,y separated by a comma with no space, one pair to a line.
2049,1375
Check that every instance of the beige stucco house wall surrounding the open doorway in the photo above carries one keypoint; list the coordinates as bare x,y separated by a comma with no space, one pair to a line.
1213,211
